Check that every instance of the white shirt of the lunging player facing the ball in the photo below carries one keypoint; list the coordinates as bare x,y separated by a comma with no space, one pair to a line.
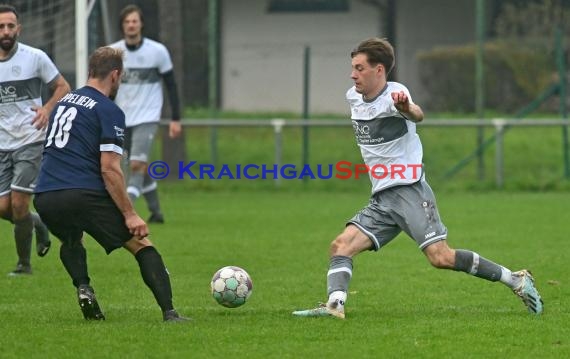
388,142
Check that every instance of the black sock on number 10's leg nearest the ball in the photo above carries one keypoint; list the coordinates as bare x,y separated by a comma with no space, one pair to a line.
155,276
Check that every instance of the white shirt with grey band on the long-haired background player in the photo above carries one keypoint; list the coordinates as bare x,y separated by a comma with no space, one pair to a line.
140,93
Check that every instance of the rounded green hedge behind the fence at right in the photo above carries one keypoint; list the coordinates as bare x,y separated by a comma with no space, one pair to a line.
514,76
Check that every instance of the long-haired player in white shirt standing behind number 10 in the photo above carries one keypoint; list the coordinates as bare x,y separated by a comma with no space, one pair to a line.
140,97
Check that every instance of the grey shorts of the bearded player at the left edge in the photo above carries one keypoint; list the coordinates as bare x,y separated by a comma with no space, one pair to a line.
19,168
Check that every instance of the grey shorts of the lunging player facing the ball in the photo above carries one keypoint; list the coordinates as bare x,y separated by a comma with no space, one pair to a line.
408,208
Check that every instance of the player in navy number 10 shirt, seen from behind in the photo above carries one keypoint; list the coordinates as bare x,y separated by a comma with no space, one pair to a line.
81,185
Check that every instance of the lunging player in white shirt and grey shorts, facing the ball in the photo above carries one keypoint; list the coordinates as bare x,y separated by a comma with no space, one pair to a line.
384,119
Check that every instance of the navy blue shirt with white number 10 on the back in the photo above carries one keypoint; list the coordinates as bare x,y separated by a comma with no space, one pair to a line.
83,124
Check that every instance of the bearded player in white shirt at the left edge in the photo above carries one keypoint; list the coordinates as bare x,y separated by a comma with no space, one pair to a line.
23,72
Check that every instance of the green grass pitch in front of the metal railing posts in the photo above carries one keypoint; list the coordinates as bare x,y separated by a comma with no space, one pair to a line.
398,307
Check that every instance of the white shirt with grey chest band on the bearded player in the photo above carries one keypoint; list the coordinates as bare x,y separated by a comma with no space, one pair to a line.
22,77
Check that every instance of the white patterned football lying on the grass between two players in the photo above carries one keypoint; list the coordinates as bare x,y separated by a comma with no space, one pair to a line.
231,286
